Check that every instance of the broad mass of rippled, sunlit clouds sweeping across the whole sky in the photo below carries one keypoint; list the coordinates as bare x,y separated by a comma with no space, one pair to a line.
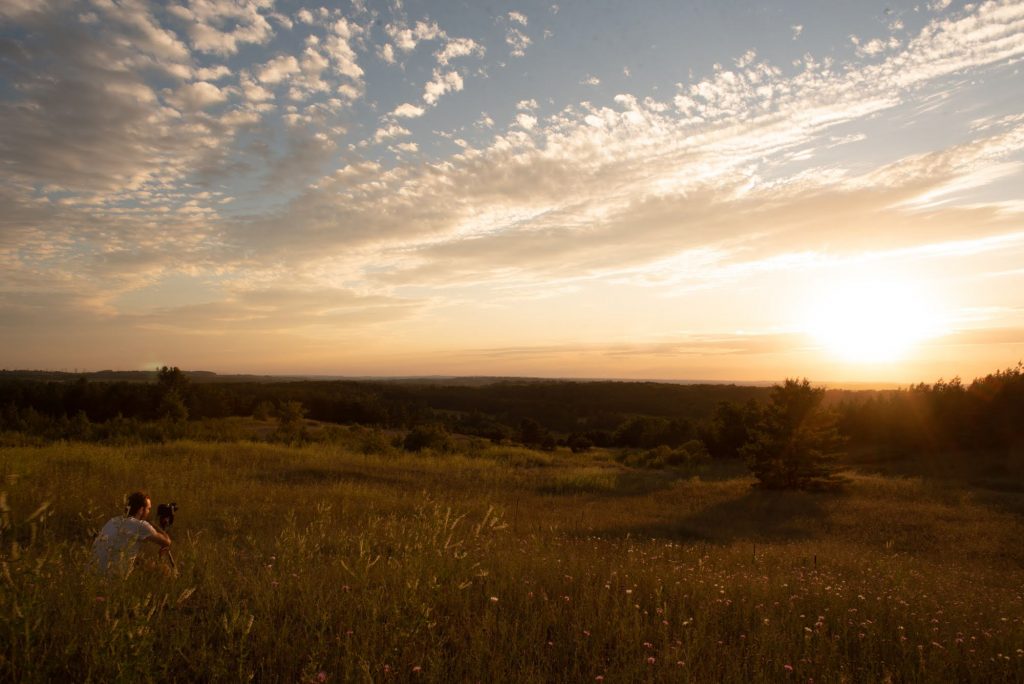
103,194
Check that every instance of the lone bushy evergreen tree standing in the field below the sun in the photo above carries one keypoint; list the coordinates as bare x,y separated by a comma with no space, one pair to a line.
795,445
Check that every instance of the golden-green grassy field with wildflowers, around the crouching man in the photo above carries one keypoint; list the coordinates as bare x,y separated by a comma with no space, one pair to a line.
324,564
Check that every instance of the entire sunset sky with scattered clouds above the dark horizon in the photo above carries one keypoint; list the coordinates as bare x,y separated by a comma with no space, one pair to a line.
653,190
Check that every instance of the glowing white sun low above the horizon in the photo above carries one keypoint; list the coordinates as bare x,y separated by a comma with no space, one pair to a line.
874,321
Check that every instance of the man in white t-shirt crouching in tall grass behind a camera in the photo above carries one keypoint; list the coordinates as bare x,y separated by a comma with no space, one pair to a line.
120,542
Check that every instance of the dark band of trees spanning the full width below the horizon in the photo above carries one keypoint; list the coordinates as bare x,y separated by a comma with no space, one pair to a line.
666,422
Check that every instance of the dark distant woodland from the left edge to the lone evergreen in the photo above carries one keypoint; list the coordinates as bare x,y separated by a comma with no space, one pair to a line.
536,413
